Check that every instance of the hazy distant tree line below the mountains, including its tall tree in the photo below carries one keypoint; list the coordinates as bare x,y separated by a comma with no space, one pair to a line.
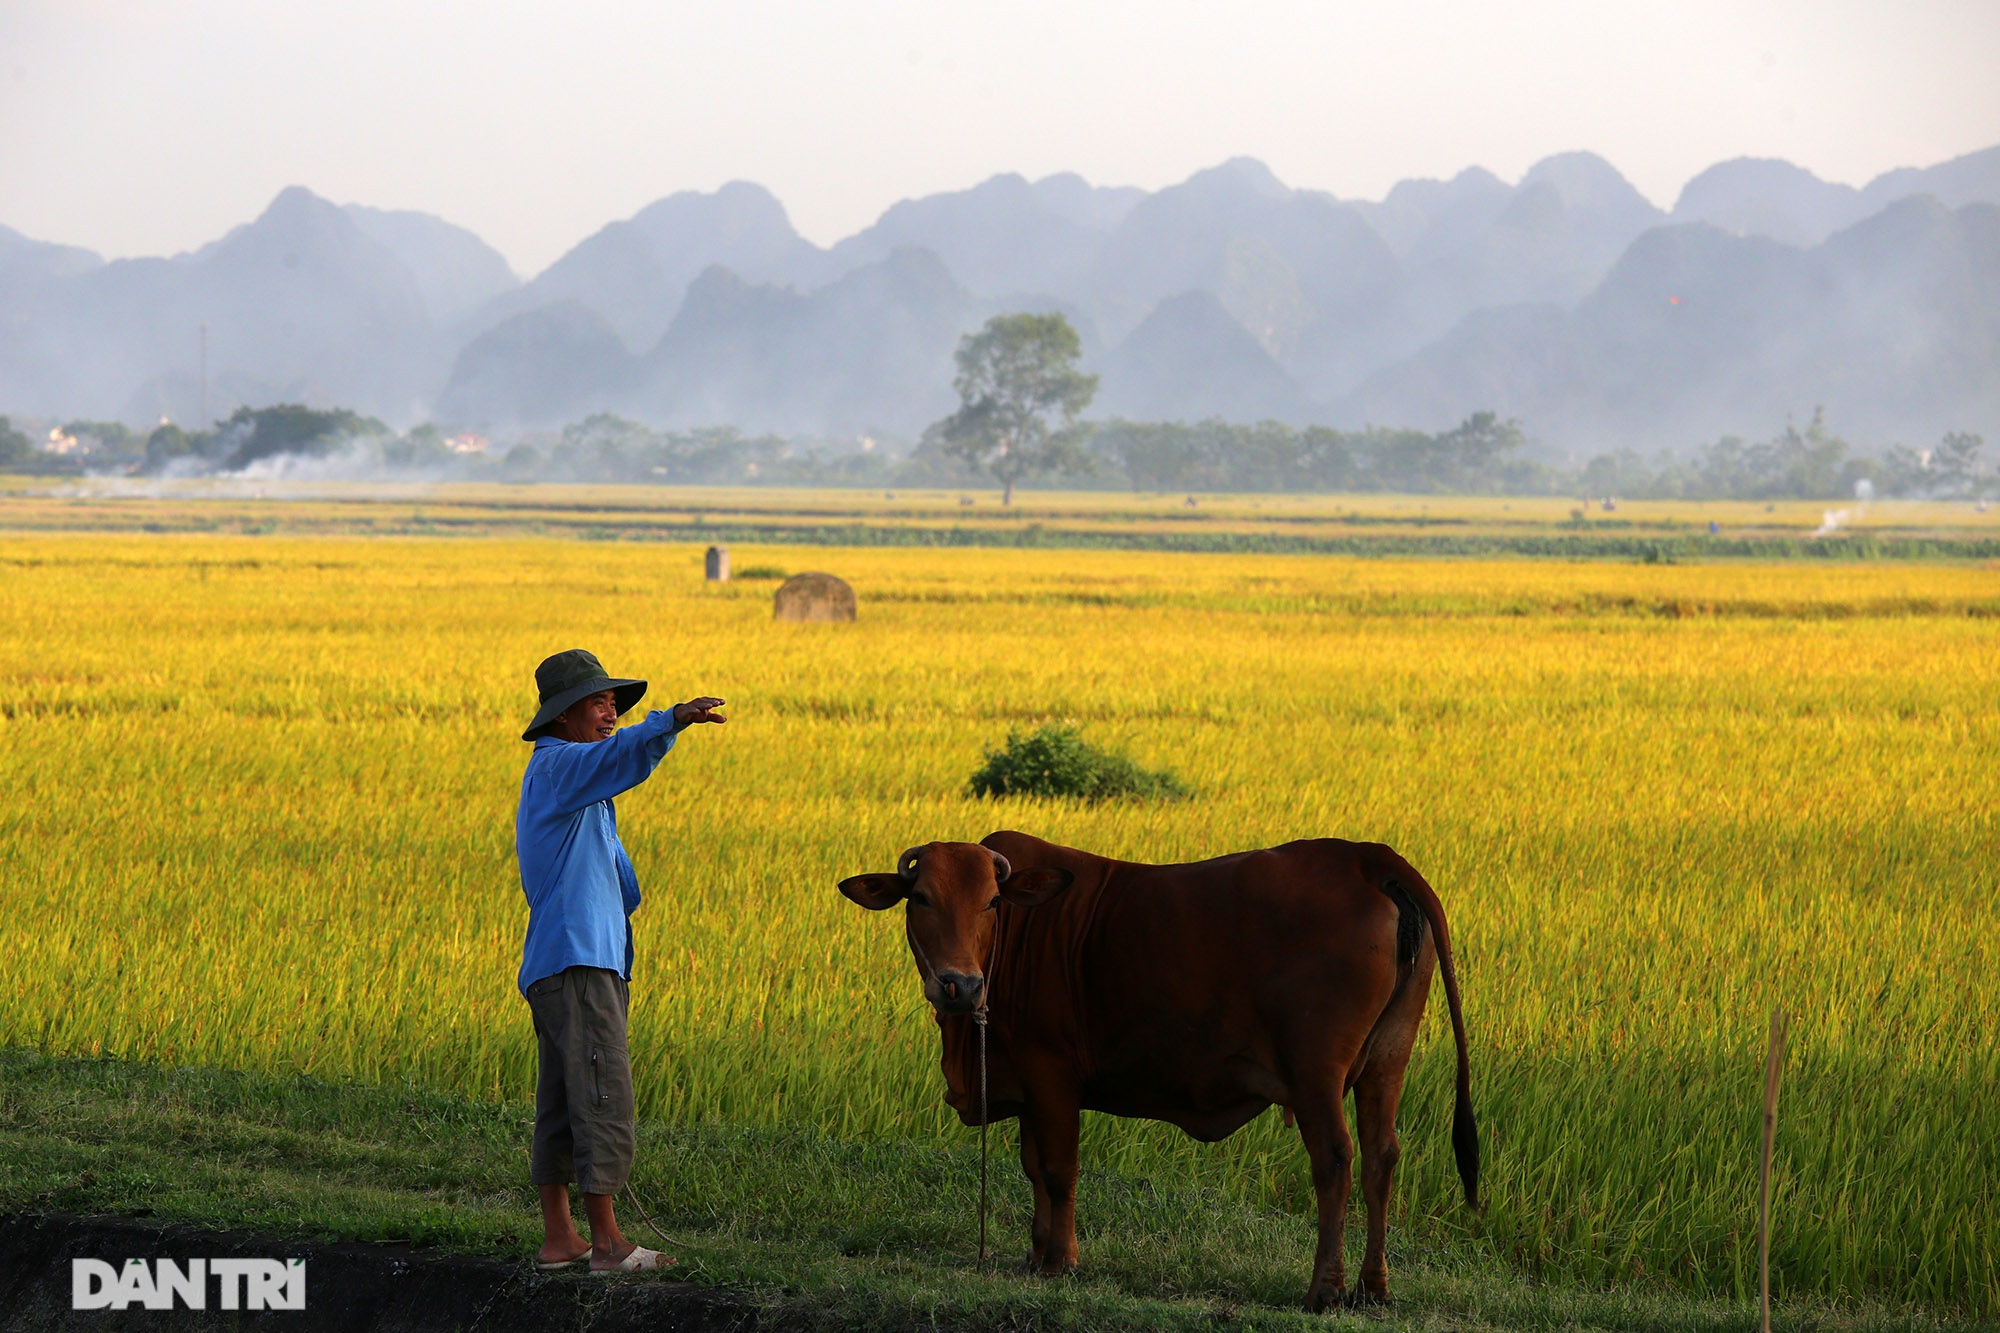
1021,419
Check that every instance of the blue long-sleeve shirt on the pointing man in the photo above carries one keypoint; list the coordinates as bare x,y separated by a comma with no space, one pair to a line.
573,868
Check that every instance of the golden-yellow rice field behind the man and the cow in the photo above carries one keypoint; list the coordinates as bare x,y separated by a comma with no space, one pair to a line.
259,814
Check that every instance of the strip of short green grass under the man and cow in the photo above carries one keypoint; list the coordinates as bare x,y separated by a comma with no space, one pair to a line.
819,1230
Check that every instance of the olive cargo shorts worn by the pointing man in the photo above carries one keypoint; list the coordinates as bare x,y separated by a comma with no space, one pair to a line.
583,1100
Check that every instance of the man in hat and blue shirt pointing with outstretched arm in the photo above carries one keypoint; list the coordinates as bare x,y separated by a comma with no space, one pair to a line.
577,962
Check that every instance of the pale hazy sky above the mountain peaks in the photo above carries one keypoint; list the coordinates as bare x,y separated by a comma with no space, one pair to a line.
149,127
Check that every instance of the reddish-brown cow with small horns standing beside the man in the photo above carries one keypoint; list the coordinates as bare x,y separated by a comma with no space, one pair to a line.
1187,994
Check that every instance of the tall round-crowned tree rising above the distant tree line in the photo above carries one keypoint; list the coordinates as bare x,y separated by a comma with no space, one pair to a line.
1021,395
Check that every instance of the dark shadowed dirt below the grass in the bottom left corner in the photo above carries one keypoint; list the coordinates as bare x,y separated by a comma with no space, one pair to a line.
349,1286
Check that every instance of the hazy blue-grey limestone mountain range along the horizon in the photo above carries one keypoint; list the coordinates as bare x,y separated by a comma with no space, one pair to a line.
1565,299
